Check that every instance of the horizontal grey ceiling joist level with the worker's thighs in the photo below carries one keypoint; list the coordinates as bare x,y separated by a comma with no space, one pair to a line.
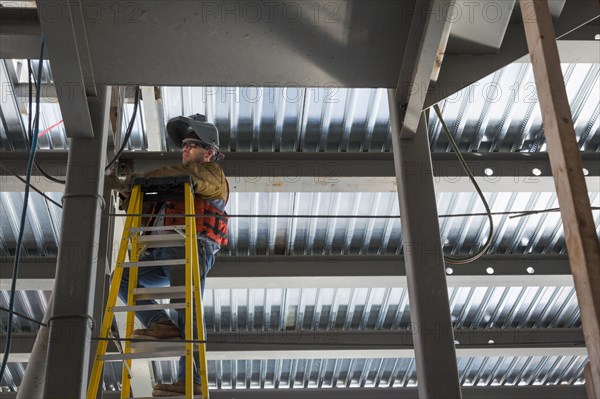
337,271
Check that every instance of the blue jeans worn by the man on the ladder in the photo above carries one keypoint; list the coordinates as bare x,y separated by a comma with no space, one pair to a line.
163,276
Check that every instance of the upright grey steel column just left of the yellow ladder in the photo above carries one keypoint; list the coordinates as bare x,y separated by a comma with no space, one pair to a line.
70,327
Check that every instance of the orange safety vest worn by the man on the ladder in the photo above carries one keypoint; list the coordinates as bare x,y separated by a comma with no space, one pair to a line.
214,227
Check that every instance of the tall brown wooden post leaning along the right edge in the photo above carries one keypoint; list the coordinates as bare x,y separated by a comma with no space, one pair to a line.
567,169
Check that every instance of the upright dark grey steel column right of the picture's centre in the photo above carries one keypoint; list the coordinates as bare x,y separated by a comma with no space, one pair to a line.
427,288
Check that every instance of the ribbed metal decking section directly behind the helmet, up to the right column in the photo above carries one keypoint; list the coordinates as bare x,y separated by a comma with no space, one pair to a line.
289,119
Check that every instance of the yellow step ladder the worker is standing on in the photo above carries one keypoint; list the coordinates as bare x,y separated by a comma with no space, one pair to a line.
134,243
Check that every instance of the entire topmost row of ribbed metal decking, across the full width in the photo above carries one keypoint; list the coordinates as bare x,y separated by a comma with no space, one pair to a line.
497,113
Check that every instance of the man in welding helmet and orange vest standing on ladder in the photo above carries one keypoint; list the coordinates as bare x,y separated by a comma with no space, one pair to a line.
200,142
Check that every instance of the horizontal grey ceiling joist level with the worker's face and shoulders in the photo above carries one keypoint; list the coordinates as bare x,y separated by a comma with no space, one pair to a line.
332,172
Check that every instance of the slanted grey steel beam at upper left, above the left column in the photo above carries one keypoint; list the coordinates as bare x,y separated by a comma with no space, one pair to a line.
63,26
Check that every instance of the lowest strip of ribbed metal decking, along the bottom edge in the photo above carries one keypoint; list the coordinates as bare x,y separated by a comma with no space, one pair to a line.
373,373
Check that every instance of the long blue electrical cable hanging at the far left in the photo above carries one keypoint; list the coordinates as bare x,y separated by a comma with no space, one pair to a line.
32,150
